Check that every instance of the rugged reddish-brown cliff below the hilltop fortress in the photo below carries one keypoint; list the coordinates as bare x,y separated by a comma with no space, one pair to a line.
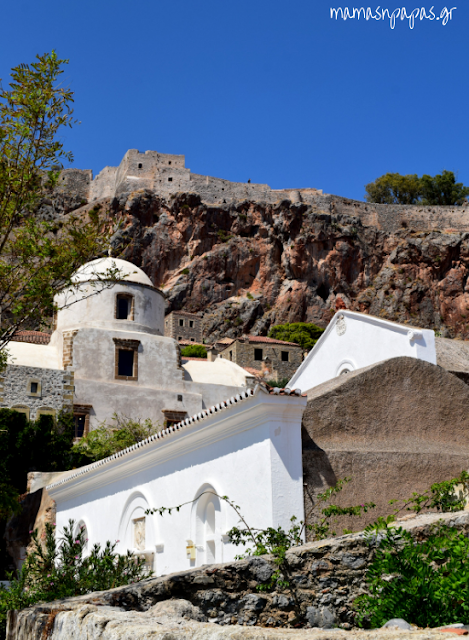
248,266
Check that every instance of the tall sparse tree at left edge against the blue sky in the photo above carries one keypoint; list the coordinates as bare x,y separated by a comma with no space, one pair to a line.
36,260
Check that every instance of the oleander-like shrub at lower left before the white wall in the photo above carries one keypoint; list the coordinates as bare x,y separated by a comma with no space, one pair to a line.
52,571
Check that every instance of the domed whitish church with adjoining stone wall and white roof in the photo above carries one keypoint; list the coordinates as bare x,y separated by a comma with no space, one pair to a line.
108,354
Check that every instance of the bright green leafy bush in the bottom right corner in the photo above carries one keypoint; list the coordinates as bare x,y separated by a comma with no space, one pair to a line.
424,582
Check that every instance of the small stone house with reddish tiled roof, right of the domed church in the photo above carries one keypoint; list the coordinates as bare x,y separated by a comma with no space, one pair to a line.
273,359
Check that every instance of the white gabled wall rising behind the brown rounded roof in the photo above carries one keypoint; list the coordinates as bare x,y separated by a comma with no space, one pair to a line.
355,340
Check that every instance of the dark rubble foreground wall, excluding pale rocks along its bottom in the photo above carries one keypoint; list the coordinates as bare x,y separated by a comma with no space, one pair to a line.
325,579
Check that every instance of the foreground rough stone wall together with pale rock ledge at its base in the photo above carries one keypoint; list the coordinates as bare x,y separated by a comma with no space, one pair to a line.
325,578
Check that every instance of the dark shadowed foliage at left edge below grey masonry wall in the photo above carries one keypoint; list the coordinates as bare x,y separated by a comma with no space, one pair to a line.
29,446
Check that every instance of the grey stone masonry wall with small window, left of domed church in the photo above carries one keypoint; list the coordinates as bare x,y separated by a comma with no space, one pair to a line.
55,389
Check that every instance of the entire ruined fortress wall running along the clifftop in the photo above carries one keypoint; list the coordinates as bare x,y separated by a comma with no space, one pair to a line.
166,174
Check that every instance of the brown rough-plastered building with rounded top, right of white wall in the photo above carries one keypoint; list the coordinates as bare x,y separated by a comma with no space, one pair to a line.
394,428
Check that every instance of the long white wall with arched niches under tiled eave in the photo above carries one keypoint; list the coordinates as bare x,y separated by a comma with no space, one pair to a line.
249,451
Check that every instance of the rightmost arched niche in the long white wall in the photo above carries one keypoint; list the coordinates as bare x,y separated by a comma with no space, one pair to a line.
207,526
